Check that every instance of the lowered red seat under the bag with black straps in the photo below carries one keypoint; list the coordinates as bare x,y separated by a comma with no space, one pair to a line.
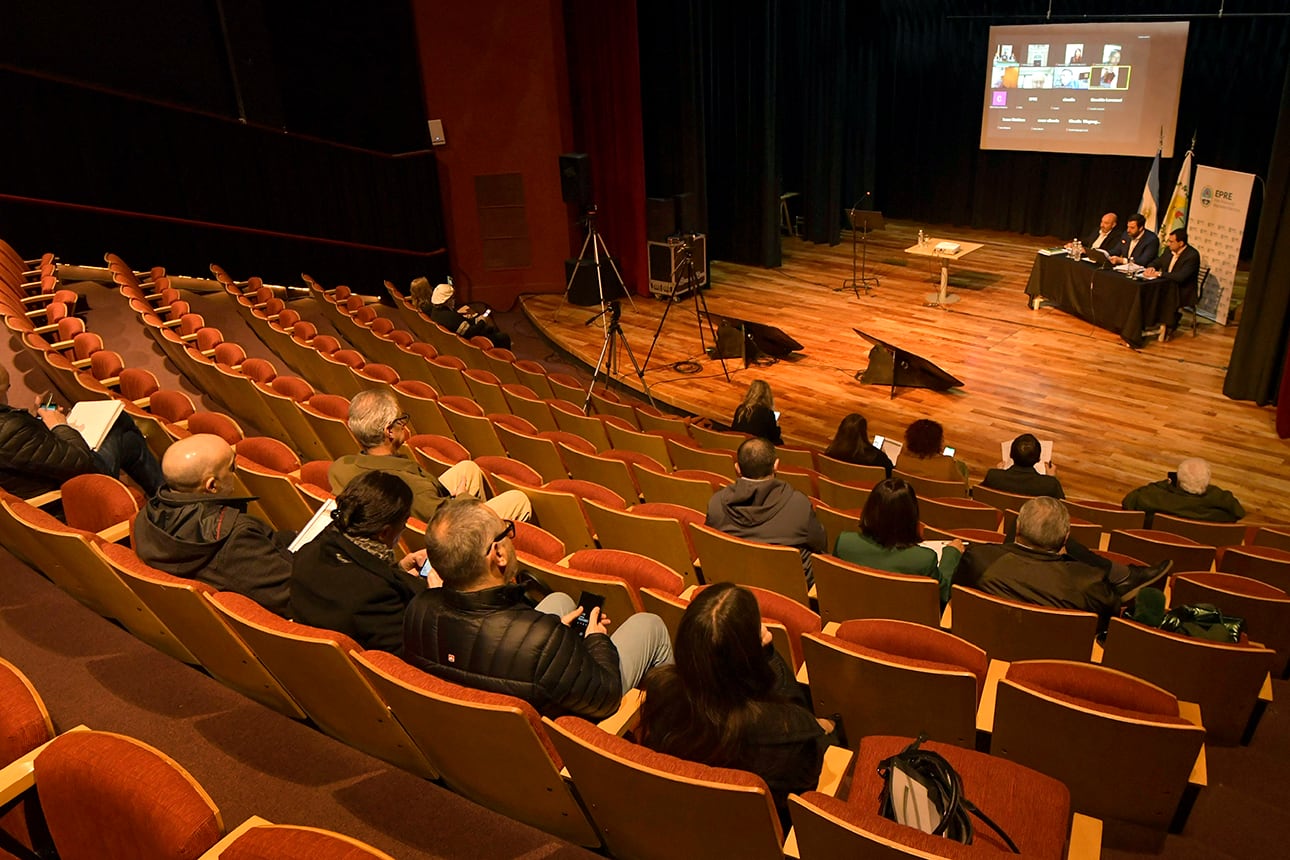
1033,809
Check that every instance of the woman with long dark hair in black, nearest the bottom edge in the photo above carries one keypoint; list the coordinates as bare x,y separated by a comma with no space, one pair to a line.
729,701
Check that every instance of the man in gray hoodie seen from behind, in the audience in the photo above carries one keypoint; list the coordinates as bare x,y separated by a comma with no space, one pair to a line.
762,507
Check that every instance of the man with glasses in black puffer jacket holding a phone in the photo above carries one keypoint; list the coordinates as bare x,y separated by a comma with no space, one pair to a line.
479,631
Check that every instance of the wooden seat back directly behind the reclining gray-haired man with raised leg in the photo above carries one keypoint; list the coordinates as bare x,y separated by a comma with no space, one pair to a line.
1013,631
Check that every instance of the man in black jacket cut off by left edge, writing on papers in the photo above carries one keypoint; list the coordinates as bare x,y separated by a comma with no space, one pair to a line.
38,454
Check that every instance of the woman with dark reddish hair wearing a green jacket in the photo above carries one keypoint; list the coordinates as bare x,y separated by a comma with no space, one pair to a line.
889,538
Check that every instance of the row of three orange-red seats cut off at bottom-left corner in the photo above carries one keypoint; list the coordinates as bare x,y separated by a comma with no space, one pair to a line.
100,795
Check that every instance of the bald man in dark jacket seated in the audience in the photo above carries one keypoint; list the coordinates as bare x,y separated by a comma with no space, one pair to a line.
197,528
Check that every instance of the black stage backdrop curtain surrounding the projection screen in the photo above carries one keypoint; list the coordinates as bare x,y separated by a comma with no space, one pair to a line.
901,84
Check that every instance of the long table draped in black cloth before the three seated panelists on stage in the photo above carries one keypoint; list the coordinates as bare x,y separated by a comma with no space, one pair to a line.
1104,297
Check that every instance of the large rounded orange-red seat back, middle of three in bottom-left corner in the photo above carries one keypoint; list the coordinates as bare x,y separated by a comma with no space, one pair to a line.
106,796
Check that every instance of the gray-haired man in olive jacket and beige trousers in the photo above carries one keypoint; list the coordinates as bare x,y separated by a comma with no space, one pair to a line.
381,427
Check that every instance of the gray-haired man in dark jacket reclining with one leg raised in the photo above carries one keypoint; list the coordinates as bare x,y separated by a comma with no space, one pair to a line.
1044,567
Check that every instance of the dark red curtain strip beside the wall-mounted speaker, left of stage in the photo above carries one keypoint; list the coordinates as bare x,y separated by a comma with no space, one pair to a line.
604,79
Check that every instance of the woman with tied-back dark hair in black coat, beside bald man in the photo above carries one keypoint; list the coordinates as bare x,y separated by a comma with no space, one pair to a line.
349,580
